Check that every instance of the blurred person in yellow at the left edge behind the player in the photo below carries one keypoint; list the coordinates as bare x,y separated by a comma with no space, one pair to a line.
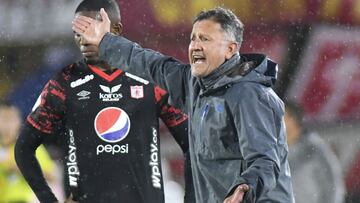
13,187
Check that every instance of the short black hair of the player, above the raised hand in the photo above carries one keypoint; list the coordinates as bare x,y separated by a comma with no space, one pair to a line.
110,6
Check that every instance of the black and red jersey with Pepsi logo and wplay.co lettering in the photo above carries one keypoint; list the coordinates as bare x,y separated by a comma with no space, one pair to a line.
111,124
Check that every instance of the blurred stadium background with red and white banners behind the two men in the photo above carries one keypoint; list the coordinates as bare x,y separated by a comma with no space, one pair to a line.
315,42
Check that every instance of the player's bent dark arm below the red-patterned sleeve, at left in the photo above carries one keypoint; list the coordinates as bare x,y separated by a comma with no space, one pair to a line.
27,143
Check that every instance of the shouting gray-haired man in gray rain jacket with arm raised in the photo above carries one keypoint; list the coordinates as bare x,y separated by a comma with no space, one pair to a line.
237,136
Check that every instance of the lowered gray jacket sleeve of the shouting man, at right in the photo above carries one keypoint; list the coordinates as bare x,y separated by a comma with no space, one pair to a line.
256,125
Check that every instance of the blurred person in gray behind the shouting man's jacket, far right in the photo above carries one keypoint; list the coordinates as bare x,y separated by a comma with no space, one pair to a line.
315,169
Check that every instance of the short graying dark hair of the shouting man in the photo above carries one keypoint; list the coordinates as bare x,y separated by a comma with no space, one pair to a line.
229,22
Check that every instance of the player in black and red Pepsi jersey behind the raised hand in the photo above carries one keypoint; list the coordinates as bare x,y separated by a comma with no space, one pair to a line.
110,120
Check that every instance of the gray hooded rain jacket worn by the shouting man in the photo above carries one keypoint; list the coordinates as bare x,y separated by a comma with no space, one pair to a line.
236,132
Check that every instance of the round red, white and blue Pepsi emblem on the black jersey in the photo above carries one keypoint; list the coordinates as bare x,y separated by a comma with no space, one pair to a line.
112,124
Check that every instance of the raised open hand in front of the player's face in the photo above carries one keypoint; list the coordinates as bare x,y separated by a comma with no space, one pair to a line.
92,30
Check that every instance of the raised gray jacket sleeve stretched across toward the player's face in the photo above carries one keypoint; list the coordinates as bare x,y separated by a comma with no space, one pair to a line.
167,72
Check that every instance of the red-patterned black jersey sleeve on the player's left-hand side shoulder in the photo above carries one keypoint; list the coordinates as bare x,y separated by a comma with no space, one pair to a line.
49,108
